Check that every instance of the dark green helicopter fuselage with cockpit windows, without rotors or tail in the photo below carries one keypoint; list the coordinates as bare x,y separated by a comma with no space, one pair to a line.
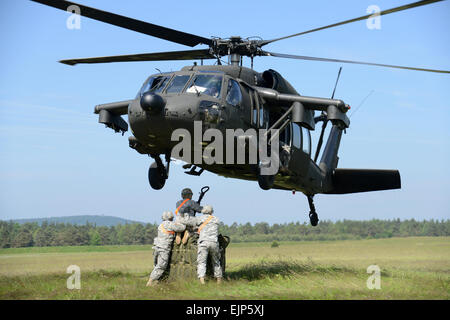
232,104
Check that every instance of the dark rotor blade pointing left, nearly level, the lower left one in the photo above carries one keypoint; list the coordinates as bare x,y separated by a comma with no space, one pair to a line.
157,56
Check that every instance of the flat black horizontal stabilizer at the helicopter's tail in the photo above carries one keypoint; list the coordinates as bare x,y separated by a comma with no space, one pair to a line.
364,180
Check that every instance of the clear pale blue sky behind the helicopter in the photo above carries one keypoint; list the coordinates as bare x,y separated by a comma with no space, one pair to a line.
56,160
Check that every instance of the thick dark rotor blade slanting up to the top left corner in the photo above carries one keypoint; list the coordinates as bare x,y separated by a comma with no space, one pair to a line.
130,23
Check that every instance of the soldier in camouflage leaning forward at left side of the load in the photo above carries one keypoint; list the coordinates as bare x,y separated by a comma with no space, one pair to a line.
162,245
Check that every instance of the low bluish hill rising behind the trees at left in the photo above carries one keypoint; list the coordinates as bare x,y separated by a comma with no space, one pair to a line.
107,221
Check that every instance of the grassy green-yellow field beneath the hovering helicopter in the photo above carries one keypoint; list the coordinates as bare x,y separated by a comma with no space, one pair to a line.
411,268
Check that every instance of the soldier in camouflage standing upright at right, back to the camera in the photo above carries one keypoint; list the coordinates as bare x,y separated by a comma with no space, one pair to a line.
208,244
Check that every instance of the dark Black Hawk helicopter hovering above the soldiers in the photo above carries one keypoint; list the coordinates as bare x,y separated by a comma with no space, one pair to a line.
235,97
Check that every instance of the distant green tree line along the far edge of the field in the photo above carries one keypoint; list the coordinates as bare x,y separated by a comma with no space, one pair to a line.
13,235
